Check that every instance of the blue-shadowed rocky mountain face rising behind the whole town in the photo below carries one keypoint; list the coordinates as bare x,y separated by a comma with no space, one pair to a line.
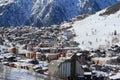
46,12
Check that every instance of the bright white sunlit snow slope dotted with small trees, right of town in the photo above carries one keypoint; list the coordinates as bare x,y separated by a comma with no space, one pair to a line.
99,31
